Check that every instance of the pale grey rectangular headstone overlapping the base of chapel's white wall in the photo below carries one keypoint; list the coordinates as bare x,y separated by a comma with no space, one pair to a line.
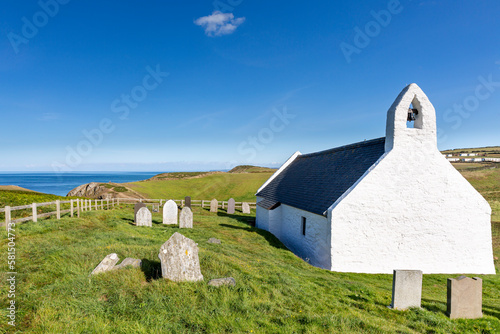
406,289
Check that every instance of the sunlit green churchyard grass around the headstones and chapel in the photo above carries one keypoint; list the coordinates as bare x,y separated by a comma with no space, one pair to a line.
276,292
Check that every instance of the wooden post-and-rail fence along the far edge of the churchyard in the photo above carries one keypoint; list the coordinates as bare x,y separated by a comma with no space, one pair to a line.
80,205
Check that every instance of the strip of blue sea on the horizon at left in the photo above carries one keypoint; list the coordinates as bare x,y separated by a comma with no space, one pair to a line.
61,184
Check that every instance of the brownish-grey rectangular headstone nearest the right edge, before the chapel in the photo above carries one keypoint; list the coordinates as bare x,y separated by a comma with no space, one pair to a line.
465,298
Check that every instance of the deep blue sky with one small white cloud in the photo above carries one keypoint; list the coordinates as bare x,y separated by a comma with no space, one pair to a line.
252,84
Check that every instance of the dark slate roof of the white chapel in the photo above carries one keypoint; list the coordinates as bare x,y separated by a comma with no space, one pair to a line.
313,182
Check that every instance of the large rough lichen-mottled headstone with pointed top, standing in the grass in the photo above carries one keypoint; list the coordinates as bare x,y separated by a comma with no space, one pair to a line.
179,259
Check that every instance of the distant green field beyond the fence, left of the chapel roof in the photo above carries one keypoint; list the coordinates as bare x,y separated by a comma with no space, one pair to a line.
222,186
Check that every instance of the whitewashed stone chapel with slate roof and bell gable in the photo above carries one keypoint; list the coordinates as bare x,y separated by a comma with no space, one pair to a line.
379,205
